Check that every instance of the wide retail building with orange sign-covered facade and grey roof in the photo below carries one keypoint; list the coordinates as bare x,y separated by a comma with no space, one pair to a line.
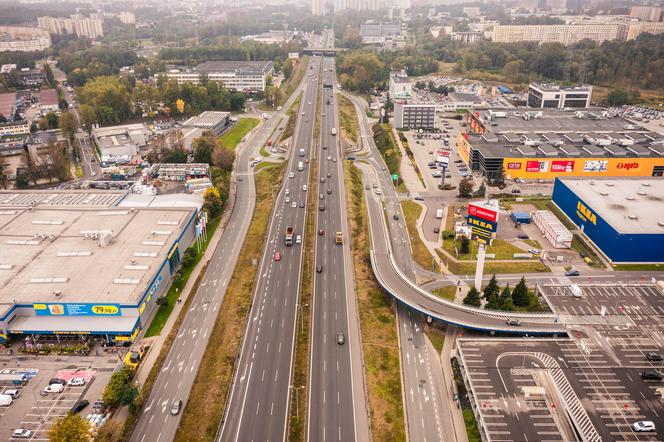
546,144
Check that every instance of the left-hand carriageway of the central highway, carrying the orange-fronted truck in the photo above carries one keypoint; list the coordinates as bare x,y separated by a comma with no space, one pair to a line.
257,409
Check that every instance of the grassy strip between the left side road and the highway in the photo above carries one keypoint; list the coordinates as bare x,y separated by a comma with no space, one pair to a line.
206,404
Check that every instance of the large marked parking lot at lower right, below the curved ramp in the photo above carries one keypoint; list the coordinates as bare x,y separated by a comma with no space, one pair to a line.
594,376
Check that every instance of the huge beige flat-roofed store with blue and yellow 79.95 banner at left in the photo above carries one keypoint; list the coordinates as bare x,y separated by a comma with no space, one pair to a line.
82,262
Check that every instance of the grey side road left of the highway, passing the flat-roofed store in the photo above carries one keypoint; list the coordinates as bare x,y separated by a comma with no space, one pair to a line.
179,369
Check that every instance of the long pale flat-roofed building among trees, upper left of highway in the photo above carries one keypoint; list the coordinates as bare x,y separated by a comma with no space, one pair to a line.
245,76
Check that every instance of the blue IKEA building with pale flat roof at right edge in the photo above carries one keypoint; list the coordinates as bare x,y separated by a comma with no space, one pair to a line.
622,217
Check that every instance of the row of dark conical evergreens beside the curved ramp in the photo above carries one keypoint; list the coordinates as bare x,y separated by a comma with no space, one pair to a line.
506,299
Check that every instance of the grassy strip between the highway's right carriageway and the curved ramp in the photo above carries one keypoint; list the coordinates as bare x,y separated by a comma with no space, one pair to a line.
379,328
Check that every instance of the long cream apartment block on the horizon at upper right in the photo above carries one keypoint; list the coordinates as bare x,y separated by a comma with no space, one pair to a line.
572,33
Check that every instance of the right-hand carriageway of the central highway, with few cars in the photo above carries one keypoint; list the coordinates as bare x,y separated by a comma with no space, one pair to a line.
336,395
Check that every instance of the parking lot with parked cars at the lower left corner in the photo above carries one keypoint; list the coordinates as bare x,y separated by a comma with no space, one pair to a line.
36,411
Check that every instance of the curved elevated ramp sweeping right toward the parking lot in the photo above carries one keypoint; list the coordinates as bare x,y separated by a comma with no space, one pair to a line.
395,282
